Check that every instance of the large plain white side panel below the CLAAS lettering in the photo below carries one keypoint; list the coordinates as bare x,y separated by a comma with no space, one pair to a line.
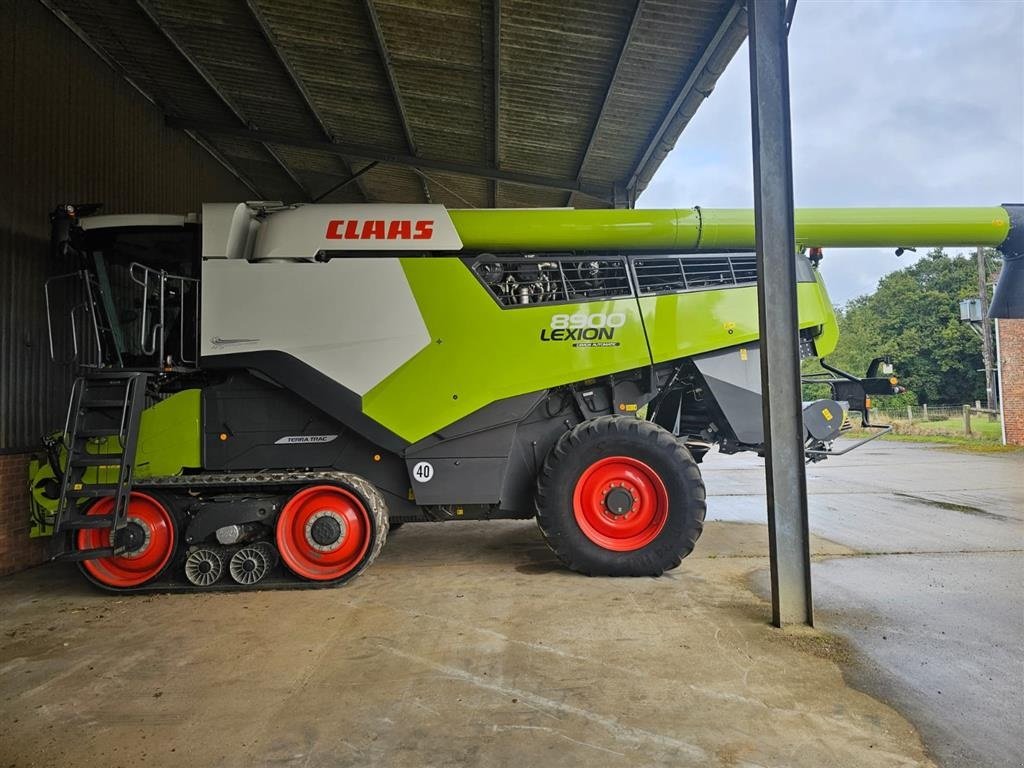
354,320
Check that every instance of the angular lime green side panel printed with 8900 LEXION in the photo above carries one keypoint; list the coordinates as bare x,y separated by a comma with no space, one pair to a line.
482,353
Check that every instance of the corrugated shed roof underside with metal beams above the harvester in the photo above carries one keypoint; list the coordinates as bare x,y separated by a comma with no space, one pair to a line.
297,95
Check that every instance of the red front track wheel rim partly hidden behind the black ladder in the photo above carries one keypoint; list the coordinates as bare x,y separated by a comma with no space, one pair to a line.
136,568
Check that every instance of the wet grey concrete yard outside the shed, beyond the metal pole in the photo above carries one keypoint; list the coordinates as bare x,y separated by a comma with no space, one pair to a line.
933,603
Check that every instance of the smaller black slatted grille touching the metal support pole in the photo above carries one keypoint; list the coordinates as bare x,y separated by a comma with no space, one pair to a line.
668,275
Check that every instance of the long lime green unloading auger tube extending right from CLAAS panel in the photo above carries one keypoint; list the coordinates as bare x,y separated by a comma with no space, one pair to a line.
727,229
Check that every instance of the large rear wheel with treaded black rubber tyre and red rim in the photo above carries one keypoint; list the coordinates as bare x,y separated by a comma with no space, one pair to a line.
603,444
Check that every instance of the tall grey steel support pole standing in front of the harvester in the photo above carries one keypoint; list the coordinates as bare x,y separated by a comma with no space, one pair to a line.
787,482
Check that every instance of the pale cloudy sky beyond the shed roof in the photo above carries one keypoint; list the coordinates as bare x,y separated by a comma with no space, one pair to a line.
902,103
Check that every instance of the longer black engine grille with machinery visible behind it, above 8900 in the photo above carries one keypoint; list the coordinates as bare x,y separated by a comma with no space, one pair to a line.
535,280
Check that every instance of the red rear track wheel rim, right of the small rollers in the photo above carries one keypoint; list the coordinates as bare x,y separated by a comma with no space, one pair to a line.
326,561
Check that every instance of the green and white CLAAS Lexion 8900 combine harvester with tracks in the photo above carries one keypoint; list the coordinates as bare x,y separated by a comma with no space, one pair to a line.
266,391
